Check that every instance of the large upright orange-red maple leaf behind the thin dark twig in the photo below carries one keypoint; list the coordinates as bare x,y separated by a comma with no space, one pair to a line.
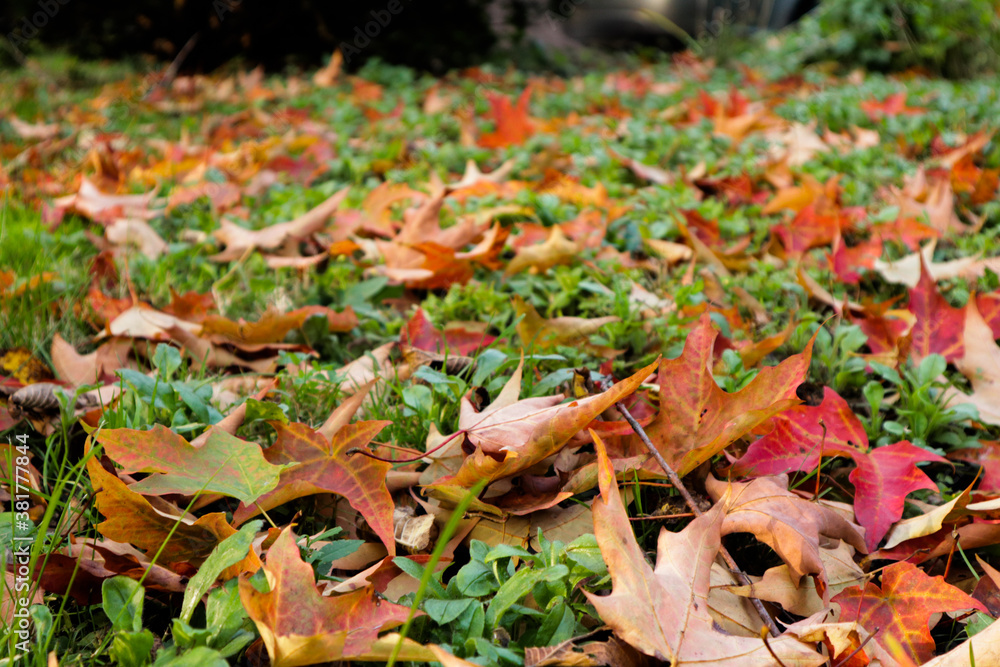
697,419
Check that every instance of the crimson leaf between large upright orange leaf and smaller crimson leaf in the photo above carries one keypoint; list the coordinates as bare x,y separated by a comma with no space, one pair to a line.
798,438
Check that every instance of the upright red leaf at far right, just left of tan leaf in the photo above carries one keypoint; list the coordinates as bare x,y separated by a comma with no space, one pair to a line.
939,326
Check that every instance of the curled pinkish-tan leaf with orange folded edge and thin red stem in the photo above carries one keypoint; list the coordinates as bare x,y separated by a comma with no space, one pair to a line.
512,435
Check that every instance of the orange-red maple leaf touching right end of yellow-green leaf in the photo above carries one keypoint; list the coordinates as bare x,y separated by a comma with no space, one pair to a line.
318,463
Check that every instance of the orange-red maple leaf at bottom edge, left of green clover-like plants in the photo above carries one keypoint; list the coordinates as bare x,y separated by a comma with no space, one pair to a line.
301,627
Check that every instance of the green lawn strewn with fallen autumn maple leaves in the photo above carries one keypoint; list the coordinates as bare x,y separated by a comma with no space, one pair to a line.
339,267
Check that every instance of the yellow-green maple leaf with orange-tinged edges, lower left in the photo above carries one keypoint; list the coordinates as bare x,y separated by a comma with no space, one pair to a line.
224,464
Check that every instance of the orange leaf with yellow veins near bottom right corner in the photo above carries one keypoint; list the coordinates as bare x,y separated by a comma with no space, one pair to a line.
900,610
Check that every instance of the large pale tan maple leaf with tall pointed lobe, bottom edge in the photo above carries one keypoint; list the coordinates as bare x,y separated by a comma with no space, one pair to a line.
663,611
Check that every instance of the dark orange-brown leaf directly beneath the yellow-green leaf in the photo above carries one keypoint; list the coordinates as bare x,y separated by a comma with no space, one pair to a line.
132,519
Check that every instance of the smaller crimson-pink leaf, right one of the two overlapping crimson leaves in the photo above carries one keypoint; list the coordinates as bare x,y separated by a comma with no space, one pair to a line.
883,478
